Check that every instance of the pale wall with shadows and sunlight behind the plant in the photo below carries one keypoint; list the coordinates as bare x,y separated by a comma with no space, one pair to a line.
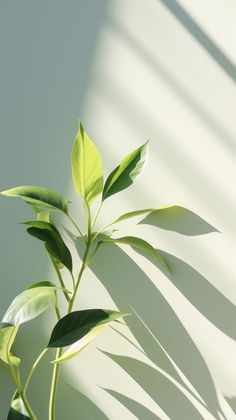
162,70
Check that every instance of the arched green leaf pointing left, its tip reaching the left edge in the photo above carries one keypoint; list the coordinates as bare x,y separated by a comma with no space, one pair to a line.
39,197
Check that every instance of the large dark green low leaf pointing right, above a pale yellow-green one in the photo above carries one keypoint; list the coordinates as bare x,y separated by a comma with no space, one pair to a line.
76,325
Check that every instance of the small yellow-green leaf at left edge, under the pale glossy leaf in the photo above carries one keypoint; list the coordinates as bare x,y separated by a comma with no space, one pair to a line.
7,338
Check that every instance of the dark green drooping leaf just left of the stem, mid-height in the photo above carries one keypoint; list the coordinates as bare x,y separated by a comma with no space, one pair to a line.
54,243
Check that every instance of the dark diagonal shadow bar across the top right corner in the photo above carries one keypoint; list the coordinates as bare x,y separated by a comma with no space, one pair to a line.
206,42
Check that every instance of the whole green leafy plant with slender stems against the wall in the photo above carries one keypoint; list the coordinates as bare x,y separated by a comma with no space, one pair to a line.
76,328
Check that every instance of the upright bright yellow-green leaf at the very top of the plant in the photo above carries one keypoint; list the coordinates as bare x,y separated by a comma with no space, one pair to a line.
86,164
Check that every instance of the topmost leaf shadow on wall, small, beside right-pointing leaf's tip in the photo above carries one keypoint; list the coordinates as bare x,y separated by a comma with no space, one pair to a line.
178,219
